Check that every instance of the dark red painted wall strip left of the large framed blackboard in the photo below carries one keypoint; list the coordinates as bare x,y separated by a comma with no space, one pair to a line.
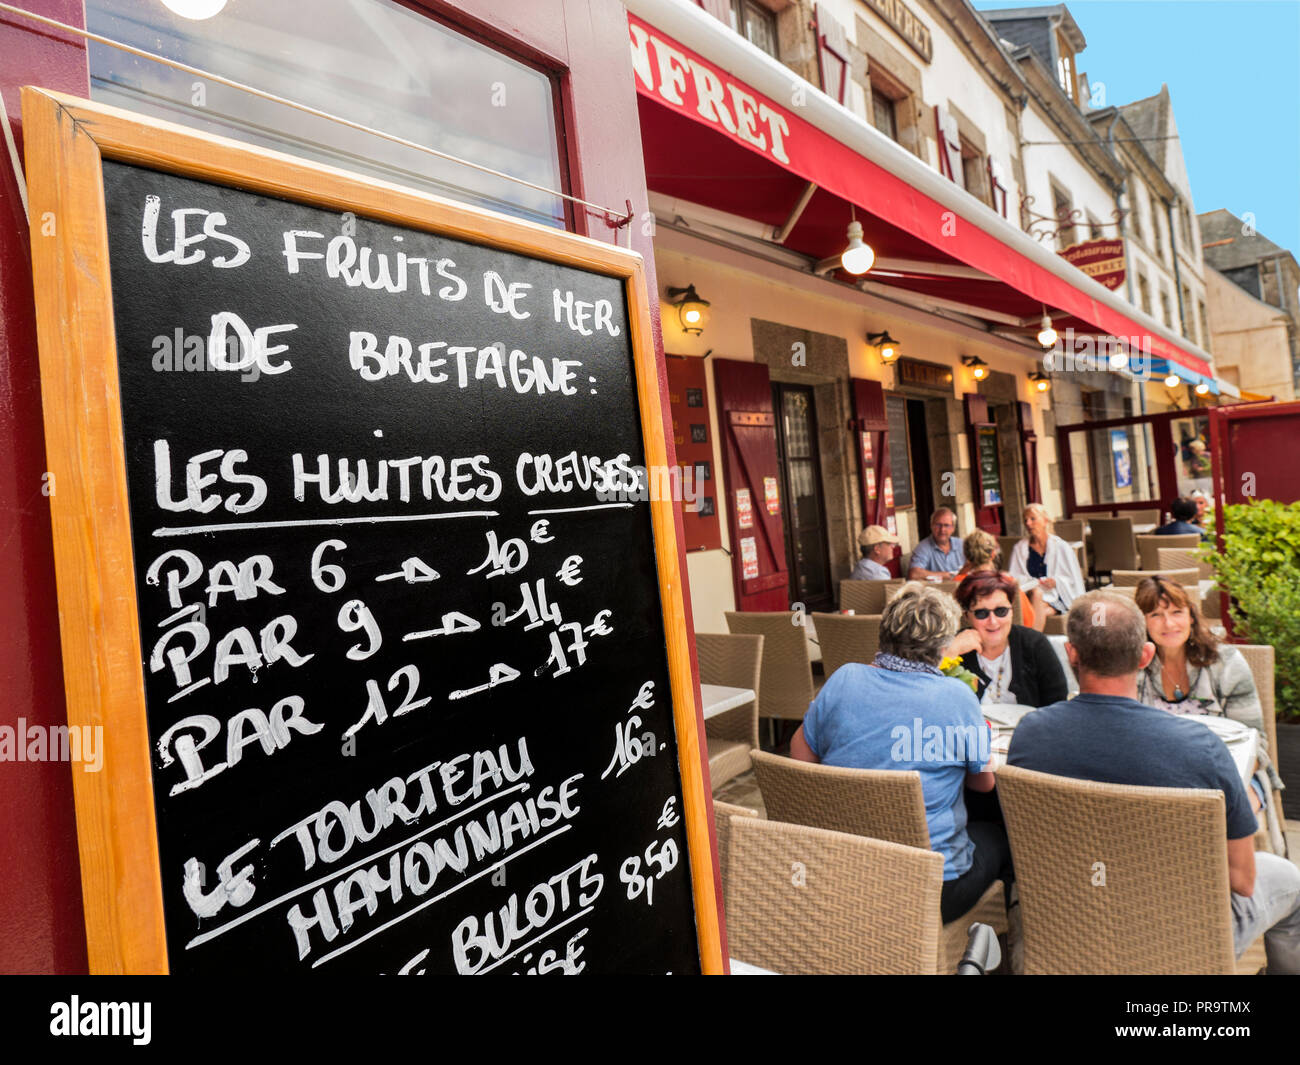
41,916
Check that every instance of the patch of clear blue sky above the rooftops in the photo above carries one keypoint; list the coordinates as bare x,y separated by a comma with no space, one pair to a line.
1233,68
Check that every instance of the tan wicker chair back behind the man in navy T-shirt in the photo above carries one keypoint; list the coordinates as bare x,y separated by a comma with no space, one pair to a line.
1117,878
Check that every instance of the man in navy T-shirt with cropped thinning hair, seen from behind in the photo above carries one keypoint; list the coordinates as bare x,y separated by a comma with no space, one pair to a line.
1104,734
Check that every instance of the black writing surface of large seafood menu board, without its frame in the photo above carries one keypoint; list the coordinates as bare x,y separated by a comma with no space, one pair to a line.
402,644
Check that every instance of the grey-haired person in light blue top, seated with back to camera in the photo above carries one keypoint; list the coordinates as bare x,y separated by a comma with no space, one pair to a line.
868,716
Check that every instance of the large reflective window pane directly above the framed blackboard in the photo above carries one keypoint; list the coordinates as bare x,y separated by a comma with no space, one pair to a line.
372,63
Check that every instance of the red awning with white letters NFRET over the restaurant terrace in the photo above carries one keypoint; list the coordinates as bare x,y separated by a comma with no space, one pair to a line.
716,141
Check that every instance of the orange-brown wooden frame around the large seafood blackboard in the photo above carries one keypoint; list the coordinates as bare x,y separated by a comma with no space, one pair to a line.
67,140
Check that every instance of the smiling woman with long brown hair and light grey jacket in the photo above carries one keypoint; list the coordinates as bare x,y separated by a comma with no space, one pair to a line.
1194,674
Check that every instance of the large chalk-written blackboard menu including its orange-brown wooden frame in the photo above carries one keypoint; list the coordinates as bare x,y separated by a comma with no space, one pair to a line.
358,572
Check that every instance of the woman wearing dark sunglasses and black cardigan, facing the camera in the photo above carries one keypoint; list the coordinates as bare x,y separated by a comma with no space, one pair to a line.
1013,664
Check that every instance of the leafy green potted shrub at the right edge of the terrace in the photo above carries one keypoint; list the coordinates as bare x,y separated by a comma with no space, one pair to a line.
1260,569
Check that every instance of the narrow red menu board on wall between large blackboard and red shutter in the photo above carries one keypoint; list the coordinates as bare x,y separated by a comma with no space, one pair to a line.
696,486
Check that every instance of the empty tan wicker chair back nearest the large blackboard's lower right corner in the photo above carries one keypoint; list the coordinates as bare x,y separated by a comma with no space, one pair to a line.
807,902
